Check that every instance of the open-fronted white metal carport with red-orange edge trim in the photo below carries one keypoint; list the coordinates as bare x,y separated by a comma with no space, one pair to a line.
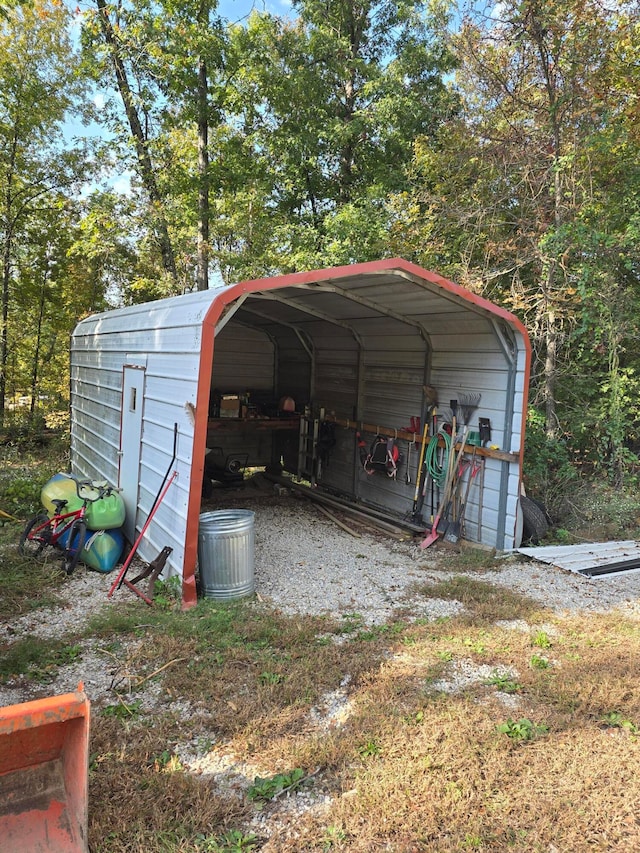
355,343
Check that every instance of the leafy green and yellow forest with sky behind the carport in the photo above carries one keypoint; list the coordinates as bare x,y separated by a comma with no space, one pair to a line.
494,143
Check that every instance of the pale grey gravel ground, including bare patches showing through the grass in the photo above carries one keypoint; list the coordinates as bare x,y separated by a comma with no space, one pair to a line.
305,563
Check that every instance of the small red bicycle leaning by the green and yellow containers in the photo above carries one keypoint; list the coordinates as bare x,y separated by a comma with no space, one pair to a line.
65,530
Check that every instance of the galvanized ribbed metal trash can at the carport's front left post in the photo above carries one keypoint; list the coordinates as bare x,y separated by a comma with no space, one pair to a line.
226,548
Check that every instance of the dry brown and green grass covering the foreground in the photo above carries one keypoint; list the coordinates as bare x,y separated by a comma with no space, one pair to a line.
512,756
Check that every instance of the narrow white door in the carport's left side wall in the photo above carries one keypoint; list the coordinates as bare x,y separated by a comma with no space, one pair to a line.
130,440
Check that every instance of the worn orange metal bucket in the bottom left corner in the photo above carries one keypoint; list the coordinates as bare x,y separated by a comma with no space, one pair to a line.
44,756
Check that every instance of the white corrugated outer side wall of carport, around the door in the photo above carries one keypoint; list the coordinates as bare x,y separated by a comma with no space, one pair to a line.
167,344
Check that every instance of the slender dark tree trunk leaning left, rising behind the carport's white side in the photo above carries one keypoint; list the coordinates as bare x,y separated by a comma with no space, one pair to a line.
142,152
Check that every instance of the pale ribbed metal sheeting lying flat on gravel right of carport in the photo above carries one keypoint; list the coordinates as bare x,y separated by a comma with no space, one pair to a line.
591,559
